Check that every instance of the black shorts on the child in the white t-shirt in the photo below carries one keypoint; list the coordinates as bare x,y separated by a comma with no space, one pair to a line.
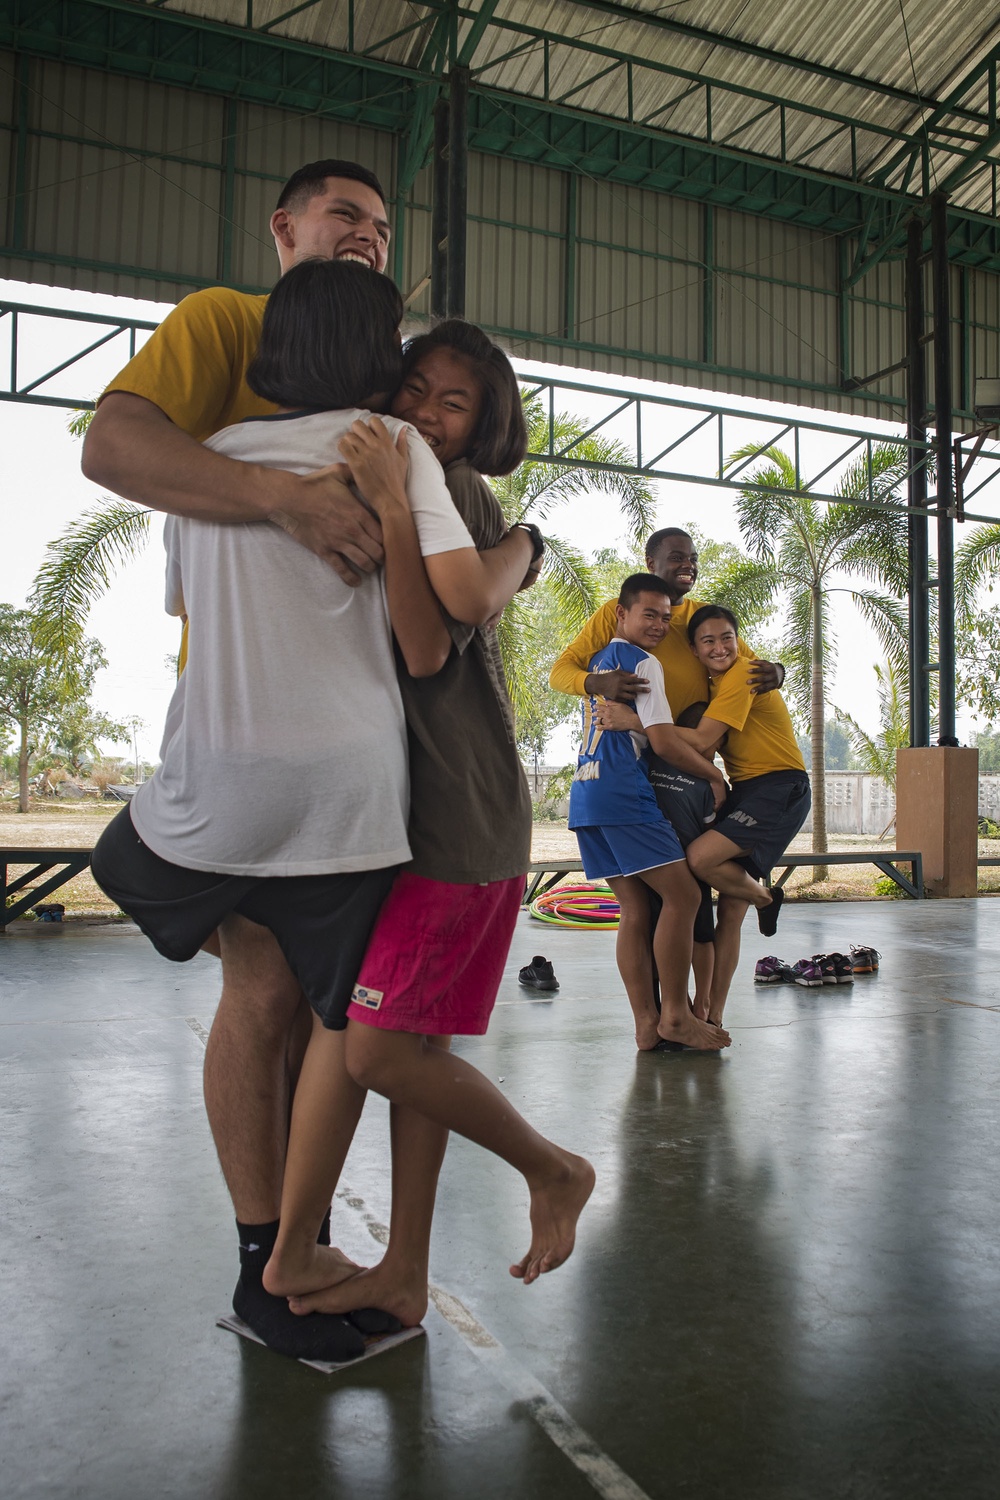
322,922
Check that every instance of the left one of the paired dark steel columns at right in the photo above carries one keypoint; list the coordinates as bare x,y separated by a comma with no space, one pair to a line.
917,493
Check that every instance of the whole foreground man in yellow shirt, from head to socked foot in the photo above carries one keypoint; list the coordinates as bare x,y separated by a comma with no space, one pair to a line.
148,443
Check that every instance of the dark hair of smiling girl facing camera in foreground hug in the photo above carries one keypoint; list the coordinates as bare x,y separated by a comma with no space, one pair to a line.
501,436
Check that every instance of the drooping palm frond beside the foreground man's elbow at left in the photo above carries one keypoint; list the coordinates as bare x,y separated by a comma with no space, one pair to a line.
80,566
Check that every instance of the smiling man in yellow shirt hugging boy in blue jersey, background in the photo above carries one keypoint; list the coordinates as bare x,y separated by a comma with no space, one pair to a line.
672,556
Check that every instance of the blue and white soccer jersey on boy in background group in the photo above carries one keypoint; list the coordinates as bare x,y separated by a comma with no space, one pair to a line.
611,784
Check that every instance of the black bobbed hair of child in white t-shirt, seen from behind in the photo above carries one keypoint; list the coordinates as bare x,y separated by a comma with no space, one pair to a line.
329,337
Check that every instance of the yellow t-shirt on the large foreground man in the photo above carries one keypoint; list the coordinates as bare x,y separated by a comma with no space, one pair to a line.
194,367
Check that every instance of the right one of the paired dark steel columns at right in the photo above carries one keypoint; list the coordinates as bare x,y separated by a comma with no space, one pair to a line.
945,472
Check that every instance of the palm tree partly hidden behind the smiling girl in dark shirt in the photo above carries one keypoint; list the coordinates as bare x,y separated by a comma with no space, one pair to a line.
533,493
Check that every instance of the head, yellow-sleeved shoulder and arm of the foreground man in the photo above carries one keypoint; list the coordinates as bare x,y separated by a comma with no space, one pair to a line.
146,439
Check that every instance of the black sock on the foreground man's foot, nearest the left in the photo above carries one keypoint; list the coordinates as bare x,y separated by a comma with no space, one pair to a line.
317,1336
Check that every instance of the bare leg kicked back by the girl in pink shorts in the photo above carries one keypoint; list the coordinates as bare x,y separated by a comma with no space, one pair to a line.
413,1073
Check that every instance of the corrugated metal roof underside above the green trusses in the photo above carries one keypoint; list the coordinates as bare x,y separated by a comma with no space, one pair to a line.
923,49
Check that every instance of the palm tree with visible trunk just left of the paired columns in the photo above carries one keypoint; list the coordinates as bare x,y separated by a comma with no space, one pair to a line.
800,548
